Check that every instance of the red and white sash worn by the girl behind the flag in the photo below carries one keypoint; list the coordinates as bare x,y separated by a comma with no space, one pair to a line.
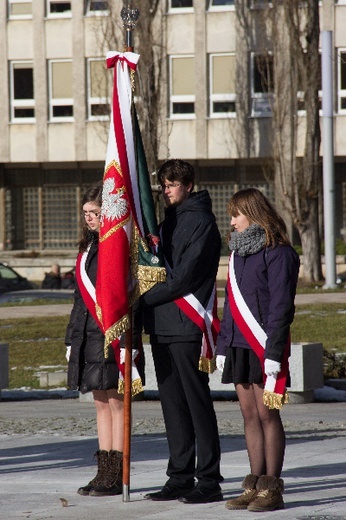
88,293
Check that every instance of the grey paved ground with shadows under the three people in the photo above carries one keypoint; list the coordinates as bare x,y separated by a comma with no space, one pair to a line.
46,449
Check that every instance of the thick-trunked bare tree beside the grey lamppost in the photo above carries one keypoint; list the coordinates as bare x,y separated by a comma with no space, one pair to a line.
286,34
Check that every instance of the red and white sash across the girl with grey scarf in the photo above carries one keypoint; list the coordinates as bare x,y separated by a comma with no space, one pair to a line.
275,394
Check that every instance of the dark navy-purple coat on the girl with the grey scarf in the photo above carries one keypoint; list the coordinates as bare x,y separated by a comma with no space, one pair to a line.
267,281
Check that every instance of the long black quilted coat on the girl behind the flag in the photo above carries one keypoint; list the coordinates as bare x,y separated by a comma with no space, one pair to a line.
87,368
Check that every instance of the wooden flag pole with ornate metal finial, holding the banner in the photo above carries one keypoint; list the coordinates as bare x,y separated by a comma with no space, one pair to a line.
129,17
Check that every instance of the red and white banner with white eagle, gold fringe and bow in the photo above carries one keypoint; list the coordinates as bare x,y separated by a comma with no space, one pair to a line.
120,206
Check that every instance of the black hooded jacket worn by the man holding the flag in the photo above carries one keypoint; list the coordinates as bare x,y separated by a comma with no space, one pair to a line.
191,245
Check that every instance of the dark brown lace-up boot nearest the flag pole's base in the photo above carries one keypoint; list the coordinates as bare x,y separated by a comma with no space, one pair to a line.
112,482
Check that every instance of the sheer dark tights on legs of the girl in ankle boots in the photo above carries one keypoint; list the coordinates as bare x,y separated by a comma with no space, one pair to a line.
264,433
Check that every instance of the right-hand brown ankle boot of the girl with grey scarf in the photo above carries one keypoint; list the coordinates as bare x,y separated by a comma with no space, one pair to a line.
269,494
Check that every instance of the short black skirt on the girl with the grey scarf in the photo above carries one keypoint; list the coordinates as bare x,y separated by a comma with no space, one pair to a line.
242,366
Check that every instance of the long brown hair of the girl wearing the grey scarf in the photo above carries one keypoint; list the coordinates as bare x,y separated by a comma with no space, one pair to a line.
258,210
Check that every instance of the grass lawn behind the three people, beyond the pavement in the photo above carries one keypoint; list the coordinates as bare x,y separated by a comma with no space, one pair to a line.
38,344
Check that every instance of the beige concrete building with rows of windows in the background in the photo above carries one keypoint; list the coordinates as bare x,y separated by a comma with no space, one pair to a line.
54,114
